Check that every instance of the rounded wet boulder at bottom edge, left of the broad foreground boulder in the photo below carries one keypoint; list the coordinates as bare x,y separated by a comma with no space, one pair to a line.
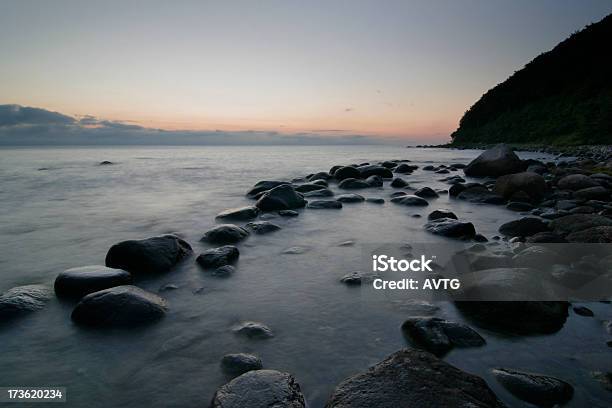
260,389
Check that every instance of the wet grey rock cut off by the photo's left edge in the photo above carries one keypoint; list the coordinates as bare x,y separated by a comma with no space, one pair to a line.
21,300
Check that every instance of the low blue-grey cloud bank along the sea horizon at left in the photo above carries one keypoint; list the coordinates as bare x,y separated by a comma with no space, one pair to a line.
24,126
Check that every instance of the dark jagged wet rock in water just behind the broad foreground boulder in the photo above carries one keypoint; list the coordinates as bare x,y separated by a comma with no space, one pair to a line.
438,336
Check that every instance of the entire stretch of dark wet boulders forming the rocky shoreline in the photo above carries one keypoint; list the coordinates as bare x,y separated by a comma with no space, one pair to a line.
567,201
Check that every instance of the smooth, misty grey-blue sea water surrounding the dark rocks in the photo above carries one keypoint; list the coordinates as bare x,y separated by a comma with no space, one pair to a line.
60,209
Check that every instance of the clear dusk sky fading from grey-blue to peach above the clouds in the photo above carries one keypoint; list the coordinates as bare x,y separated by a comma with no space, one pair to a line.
404,70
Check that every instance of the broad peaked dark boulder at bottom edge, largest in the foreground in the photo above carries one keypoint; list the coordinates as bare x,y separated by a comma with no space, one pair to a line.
413,378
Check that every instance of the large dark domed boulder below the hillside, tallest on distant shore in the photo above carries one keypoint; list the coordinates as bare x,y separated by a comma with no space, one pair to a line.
494,162
